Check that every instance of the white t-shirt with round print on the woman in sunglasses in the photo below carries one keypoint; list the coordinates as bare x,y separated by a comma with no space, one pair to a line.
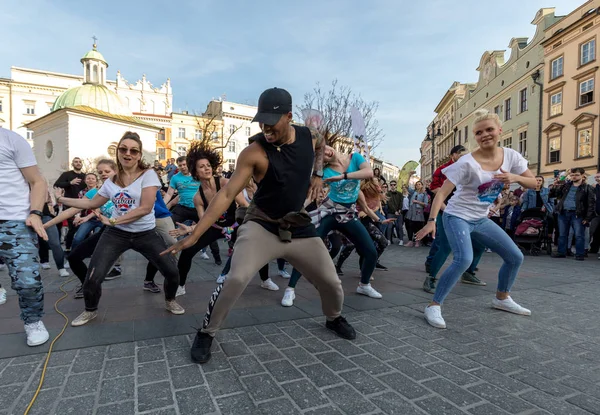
125,199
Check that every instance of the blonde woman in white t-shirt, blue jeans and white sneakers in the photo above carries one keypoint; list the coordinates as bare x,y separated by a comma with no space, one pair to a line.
479,178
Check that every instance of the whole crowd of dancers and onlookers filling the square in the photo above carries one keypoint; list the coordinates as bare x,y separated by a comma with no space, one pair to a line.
292,198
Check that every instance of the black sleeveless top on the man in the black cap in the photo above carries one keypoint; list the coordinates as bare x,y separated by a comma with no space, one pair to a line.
286,182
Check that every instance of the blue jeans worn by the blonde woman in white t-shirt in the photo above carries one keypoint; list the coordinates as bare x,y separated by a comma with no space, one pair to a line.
460,234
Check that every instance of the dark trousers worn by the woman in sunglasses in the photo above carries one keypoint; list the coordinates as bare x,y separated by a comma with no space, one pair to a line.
115,242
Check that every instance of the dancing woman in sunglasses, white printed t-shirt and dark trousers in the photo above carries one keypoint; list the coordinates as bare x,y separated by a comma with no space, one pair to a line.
132,226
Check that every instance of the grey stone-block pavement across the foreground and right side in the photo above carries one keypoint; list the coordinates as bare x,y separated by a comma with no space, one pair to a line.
486,362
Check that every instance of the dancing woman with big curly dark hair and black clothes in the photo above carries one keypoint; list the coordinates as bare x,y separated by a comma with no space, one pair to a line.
203,162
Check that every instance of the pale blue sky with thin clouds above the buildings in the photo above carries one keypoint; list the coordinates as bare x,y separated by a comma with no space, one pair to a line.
402,54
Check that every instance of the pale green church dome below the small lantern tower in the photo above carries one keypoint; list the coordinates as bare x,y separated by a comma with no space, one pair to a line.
94,96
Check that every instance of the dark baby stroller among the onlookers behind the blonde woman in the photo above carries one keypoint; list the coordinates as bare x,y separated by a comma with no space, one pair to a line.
531,234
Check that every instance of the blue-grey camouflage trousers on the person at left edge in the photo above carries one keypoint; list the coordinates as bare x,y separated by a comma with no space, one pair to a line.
18,249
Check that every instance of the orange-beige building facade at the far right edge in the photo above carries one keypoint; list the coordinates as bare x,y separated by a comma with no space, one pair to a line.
571,128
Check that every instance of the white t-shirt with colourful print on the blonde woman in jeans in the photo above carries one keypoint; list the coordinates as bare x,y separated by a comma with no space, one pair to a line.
476,189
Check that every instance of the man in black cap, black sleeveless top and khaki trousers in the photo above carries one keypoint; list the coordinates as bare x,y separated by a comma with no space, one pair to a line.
287,163
